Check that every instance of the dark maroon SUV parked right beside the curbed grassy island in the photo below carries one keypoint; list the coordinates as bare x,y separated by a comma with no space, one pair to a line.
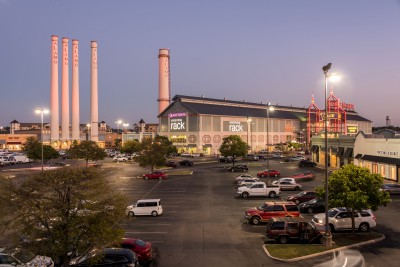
284,229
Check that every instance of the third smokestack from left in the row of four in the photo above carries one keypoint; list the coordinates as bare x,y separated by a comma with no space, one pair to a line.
75,91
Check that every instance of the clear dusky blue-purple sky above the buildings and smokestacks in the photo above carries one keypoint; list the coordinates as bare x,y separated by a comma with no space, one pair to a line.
257,51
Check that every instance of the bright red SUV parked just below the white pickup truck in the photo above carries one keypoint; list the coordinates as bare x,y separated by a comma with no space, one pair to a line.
271,209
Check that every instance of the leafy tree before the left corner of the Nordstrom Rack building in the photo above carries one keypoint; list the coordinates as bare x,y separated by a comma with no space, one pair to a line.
151,154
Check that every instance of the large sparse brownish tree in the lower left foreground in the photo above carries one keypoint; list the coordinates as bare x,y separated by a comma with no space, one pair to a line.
62,212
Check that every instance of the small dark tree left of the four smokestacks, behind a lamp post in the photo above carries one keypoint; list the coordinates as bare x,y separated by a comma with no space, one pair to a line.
33,149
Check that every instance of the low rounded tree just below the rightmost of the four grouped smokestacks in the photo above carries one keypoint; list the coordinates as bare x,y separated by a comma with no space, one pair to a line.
87,150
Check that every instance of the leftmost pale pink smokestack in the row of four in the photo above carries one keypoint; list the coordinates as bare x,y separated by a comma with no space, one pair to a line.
54,115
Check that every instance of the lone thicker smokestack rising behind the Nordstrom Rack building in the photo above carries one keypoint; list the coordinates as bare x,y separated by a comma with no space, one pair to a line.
163,82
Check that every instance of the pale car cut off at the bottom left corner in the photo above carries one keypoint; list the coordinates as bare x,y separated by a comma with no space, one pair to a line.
21,257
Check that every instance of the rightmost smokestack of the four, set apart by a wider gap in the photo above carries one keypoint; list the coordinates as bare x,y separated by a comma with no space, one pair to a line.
94,99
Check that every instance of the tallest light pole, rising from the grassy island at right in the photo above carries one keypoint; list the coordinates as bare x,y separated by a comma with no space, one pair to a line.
328,236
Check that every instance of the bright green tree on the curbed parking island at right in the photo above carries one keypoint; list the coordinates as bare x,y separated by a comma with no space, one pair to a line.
355,188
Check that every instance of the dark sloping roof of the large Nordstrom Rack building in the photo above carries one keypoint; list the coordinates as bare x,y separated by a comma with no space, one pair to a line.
223,107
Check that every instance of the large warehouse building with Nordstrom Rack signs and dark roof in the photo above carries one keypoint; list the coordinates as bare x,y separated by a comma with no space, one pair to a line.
198,124
